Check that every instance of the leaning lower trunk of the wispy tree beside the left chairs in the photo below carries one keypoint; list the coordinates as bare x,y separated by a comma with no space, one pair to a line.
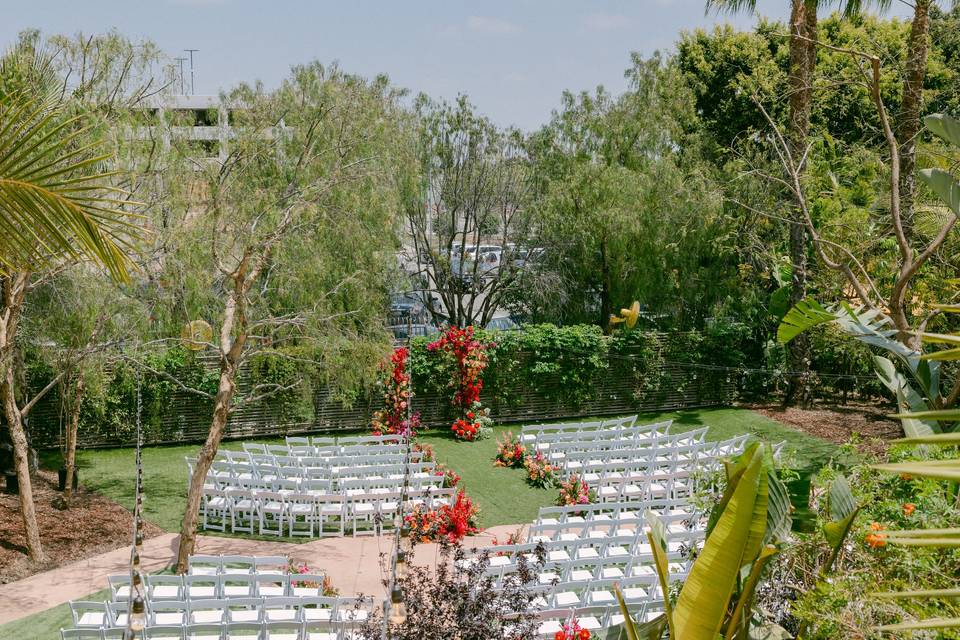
221,411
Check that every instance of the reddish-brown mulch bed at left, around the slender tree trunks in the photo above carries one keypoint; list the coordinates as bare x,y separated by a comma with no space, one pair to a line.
92,525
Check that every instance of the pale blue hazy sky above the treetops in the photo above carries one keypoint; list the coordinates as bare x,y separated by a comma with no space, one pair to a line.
513,58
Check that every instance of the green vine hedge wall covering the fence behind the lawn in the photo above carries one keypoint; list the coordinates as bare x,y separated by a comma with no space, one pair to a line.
541,372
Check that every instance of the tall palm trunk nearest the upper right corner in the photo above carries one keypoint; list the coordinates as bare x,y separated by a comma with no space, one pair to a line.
910,109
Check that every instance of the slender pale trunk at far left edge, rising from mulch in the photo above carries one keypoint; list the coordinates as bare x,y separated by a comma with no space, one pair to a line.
14,288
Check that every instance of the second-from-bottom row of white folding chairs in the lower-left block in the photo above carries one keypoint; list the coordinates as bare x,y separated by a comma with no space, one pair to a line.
223,610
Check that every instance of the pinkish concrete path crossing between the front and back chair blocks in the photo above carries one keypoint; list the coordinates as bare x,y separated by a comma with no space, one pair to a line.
355,566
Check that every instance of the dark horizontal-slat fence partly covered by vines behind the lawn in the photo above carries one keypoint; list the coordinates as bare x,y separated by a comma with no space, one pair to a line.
624,387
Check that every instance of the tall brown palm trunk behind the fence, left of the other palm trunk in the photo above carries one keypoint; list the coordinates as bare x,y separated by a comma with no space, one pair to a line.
803,52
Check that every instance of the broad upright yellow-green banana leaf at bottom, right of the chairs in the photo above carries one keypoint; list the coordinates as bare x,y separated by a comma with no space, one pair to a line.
736,541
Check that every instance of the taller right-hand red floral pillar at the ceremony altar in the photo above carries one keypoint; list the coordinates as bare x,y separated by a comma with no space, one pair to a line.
469,357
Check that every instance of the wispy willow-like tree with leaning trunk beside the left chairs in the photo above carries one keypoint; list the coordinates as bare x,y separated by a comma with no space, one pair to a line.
284,240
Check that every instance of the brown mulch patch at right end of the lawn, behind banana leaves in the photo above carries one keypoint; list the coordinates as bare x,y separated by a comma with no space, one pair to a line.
867,424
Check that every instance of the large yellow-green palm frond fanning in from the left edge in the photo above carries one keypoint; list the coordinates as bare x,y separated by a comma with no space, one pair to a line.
55,198
